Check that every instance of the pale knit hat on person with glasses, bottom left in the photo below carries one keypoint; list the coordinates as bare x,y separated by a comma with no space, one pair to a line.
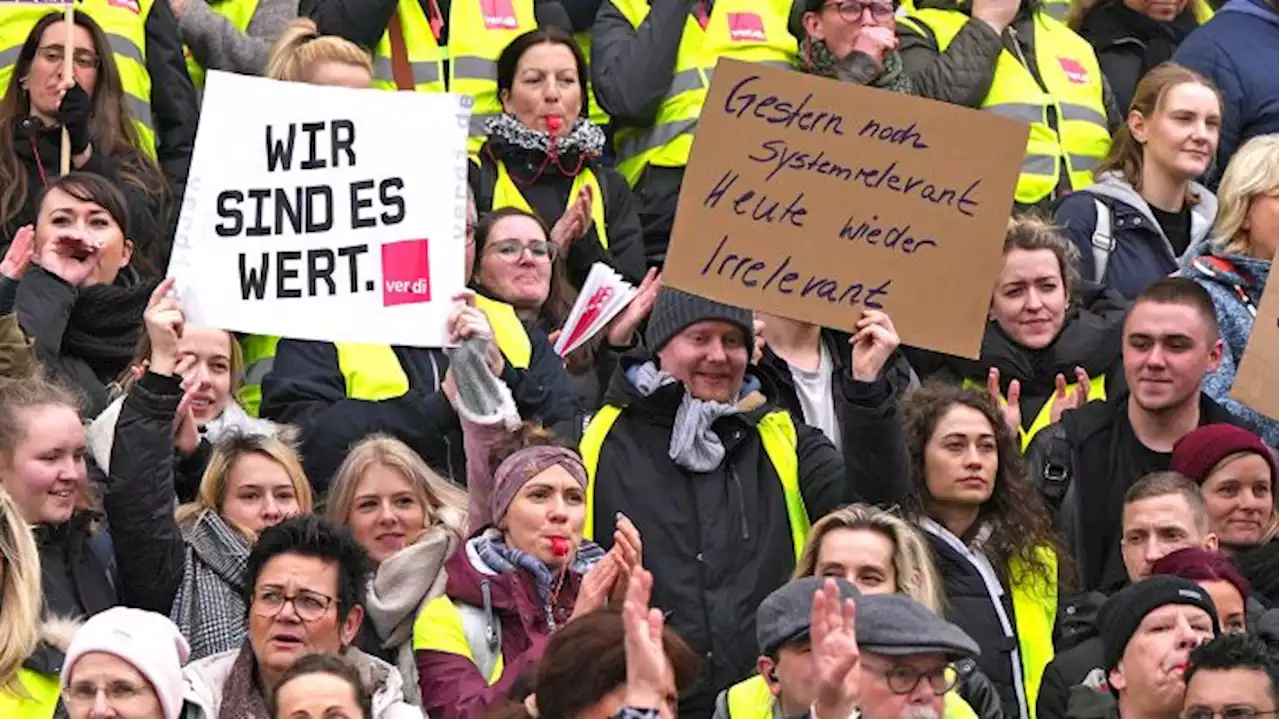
149,642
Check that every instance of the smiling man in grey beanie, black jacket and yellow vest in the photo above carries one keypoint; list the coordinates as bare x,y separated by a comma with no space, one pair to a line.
721,483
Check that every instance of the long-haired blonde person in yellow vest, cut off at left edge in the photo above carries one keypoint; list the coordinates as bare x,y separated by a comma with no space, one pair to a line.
24,691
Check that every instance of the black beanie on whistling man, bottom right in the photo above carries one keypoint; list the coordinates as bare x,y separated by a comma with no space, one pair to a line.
1123,613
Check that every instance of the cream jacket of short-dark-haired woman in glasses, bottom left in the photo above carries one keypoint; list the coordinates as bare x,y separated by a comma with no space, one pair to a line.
207,677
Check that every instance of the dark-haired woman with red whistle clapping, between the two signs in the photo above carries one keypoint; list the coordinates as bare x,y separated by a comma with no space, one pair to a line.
542,157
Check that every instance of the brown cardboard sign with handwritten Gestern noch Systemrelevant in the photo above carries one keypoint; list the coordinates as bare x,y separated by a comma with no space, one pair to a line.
816,200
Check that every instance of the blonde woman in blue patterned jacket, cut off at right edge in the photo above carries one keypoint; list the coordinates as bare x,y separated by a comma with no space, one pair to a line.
1233,267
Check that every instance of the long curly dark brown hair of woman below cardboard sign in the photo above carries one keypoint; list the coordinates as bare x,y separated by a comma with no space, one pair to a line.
1020,521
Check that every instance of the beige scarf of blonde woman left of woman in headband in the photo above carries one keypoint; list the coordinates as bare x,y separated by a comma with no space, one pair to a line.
408,580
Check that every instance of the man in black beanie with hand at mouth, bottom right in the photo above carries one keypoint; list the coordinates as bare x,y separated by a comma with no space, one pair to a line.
1149,631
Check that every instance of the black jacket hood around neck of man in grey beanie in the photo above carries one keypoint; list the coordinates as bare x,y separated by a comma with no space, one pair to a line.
662,405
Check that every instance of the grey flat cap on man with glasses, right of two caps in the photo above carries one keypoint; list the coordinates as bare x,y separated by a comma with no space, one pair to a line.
895,625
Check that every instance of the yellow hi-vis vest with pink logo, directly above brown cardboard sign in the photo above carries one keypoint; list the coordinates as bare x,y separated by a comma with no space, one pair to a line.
746,30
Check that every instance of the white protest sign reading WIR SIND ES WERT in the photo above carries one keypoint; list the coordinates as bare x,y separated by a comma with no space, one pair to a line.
324,213
